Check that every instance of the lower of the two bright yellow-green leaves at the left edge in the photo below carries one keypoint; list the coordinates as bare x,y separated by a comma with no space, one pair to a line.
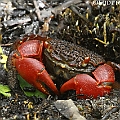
5,90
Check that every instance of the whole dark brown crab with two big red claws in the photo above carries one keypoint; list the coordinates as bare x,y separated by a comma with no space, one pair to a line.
35,58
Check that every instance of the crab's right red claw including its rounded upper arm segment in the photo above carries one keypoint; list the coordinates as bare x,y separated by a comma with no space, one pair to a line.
88,86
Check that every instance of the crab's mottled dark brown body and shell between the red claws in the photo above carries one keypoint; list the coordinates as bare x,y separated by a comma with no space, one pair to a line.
67,59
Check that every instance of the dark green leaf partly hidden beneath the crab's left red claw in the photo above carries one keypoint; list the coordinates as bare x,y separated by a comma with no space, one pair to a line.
23,84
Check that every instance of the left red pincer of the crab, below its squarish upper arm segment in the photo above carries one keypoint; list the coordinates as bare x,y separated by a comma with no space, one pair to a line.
33,71
